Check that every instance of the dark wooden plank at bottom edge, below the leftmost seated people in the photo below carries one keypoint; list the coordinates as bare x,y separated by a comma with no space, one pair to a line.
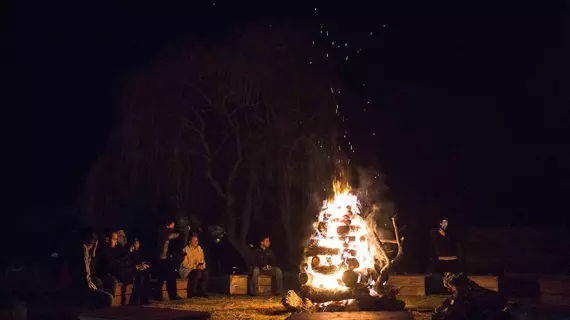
138,313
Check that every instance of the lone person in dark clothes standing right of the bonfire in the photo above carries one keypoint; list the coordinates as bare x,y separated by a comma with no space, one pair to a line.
445,249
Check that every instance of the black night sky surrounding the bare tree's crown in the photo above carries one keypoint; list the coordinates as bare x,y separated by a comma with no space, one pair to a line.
468,113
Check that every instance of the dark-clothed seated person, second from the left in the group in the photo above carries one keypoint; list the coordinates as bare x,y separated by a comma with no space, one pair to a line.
116,265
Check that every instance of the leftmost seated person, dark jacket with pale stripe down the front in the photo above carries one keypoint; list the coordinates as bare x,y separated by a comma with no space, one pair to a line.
86,288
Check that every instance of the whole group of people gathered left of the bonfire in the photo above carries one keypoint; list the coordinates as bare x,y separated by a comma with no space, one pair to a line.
117,260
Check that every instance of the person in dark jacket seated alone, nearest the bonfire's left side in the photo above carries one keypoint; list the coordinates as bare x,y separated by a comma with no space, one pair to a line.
265,263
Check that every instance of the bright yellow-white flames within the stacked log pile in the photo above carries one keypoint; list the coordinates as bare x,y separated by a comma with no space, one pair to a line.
342,210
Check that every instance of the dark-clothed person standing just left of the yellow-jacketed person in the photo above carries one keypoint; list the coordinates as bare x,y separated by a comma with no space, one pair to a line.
165,267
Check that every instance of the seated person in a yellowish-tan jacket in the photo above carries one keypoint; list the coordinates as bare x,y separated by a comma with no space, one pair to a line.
193,267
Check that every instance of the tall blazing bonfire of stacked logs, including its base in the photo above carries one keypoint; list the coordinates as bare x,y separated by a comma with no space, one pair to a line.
345,266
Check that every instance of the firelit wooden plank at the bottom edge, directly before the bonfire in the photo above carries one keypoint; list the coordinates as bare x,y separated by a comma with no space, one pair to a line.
379,315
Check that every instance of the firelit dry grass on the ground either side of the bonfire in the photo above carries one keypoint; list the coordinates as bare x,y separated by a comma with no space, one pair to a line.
266,308
